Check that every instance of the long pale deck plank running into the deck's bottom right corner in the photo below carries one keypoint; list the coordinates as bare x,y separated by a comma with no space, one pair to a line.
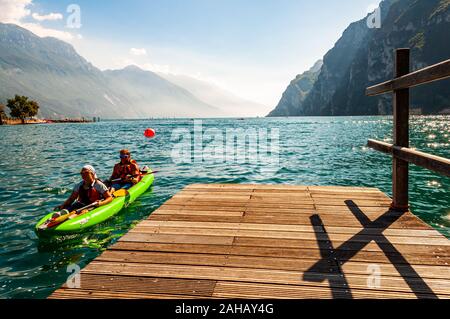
357,281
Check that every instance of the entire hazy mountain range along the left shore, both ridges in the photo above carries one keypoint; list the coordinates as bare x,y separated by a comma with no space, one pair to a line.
65,85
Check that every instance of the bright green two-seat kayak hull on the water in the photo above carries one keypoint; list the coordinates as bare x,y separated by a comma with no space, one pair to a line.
98,215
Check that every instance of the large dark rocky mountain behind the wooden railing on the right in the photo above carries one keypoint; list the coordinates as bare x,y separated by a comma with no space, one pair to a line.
363,57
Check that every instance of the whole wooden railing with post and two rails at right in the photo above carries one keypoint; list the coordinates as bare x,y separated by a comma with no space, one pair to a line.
401,153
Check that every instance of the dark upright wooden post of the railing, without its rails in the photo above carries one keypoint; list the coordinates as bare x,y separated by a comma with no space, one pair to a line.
401,134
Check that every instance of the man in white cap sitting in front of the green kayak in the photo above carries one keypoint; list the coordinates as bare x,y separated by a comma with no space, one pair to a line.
87,192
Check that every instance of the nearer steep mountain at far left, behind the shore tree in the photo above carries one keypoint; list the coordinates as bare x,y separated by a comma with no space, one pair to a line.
52,73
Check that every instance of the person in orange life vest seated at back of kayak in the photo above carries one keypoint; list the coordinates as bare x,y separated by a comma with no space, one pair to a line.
126,173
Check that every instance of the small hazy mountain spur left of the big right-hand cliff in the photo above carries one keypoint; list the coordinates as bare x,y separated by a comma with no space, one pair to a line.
297,91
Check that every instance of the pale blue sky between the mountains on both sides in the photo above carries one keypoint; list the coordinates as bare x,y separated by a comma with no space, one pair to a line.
252,48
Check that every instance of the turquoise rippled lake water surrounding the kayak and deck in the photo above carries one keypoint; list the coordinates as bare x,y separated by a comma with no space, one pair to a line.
39,165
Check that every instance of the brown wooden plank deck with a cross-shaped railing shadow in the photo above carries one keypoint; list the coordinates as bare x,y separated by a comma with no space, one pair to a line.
272,241
